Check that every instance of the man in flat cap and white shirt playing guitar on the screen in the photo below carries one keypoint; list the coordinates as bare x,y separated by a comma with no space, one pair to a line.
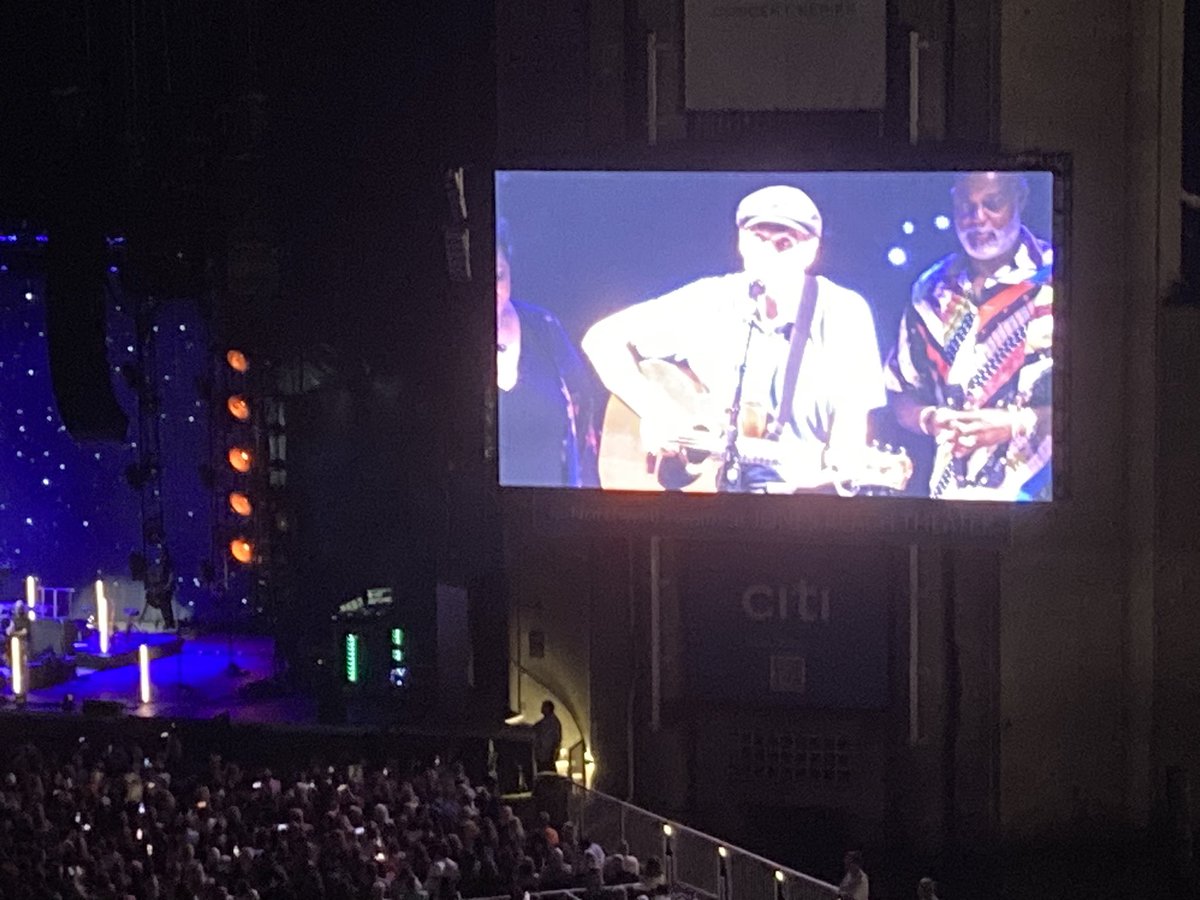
793,355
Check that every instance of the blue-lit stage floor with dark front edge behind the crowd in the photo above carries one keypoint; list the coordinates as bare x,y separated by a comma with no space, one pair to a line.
243,711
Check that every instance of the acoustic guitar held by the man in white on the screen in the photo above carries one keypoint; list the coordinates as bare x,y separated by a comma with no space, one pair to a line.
694,465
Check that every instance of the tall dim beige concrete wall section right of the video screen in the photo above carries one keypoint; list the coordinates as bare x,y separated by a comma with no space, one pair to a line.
1101,81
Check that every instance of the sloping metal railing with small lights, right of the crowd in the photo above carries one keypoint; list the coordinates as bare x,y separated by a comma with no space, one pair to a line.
693,862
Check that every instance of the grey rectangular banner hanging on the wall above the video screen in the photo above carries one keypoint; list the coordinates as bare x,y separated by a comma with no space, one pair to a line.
785,55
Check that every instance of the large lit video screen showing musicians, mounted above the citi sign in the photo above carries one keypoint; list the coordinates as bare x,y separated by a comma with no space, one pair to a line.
794,333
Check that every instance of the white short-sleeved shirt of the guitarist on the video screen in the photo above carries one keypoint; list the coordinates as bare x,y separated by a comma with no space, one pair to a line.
706,325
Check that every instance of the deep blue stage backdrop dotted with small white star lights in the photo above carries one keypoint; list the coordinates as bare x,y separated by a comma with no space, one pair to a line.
56,493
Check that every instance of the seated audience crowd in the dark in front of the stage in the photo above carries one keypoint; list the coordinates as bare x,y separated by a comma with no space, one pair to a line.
116,823
